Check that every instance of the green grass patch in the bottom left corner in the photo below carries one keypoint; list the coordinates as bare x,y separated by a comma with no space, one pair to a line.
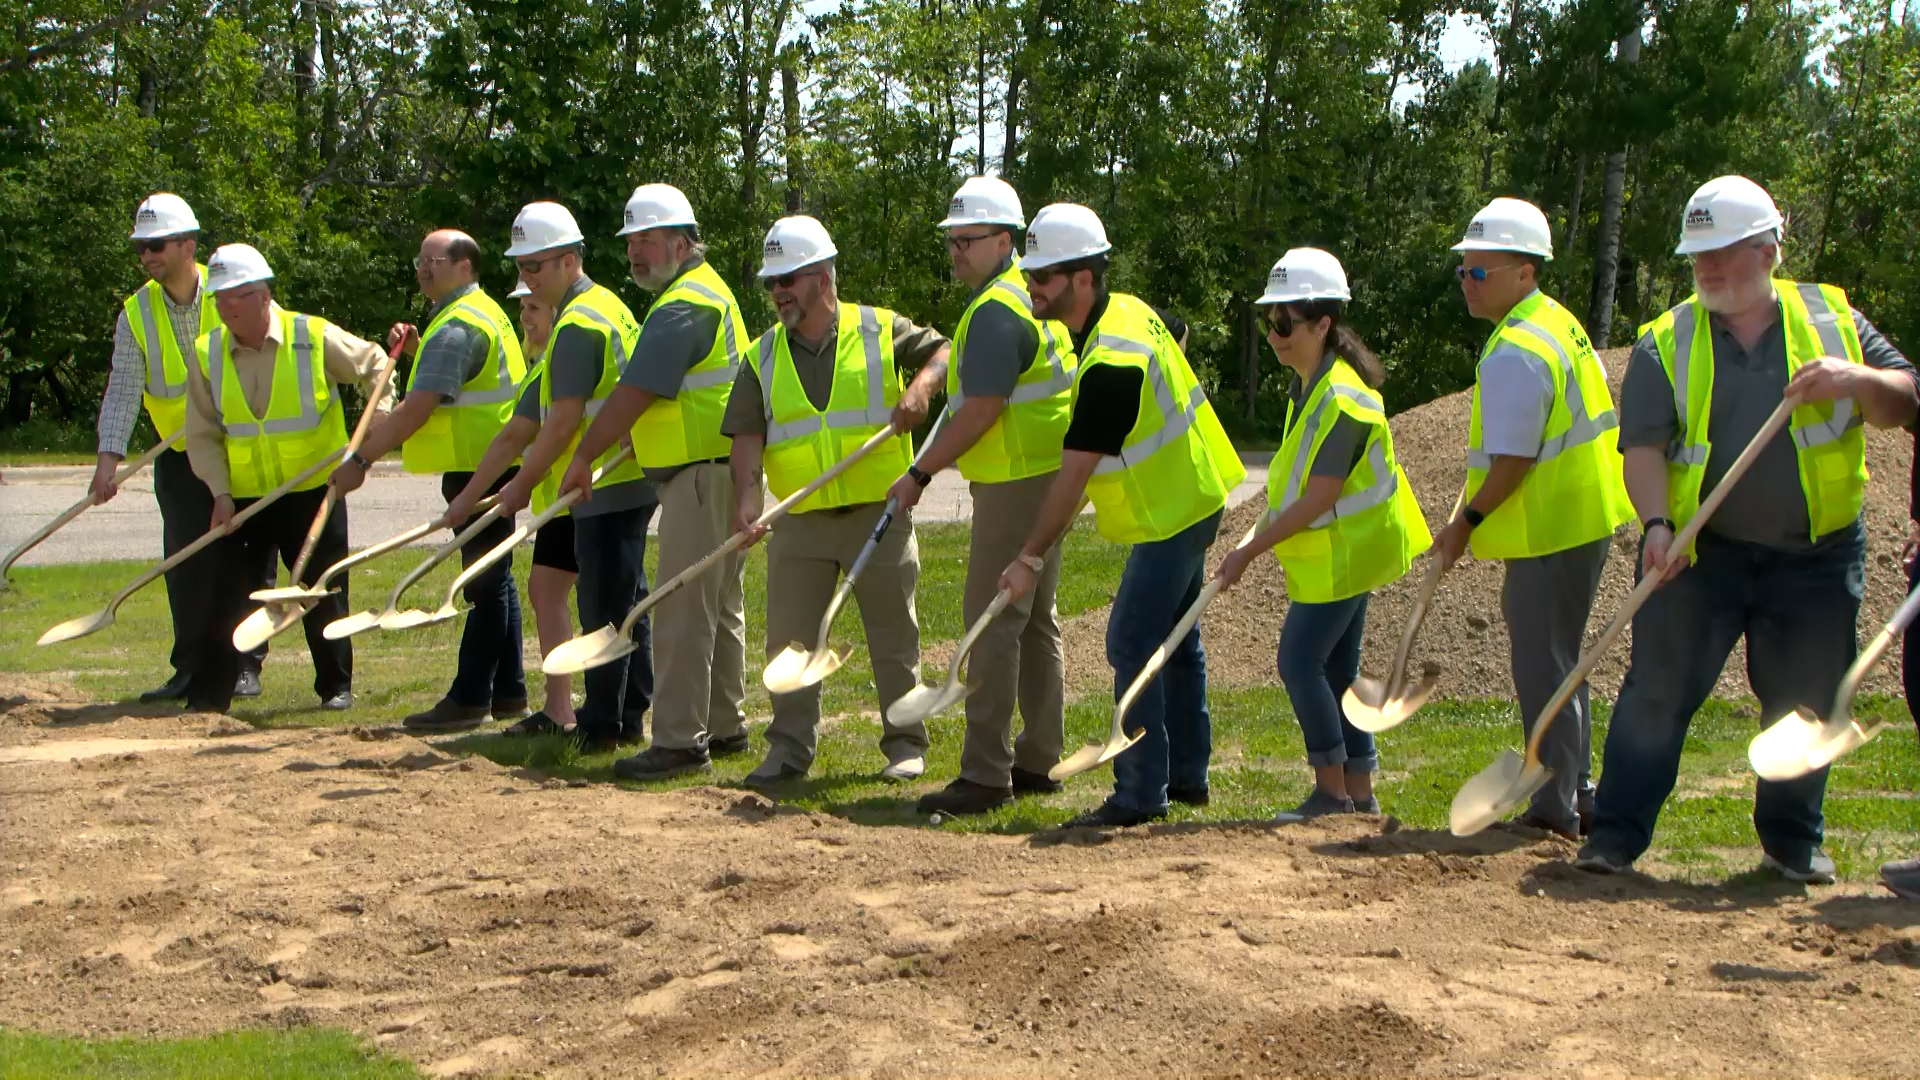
239,1056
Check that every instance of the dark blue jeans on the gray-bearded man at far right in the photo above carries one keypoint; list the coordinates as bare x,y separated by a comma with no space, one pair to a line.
1796,612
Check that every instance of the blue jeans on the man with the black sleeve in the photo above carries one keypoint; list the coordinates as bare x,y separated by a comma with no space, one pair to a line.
1161,583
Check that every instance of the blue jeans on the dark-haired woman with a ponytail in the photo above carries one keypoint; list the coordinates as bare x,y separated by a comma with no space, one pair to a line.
1320,658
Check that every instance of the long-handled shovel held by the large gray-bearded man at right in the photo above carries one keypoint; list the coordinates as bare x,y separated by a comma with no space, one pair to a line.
1502,787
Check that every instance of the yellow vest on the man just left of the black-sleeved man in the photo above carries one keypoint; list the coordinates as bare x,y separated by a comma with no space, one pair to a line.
1026,439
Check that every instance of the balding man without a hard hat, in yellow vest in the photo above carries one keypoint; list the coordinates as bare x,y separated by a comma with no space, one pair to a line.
468,370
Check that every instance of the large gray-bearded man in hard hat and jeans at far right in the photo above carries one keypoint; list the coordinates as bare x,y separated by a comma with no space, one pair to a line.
1783,560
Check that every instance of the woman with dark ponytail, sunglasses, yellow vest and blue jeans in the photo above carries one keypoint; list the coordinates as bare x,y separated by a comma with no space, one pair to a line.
1341,518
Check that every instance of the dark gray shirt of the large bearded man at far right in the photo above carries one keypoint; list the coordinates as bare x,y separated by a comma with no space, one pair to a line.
1767,506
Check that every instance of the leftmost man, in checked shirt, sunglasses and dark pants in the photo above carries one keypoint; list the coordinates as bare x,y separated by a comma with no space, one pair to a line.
153,353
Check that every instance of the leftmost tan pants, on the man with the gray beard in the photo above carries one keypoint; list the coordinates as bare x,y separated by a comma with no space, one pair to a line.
700,633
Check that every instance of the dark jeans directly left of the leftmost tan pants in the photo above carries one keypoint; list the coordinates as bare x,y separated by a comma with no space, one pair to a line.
612,551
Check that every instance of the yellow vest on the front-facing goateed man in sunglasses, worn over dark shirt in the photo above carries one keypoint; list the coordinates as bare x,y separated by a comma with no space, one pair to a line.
804,443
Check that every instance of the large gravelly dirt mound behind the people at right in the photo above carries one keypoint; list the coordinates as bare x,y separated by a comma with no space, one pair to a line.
1466,633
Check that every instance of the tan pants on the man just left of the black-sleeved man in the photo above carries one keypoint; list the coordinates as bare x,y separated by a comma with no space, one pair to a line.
1019,658
